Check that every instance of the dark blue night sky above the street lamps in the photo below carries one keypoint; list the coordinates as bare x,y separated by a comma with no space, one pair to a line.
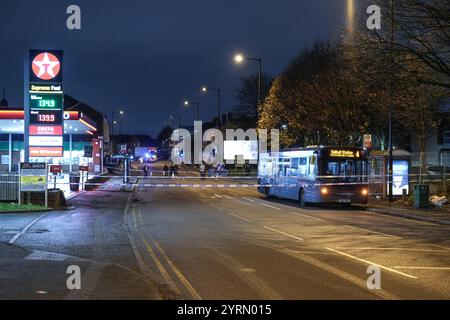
148,56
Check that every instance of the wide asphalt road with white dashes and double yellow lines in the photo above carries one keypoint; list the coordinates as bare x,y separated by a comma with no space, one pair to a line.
186,239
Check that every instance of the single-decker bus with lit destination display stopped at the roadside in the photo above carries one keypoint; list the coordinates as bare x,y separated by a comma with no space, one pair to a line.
315,175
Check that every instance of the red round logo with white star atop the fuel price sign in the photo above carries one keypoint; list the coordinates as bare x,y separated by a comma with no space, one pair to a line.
46,66
